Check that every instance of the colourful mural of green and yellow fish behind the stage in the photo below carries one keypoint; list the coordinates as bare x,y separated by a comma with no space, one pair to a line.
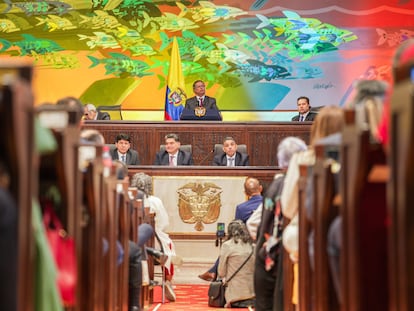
256,55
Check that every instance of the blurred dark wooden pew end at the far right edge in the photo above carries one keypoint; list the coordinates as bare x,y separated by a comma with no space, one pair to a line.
400,192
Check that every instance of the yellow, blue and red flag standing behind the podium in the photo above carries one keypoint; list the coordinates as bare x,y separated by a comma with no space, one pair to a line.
175,94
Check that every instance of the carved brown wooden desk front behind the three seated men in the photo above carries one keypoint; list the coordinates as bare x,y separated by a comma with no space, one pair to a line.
261,138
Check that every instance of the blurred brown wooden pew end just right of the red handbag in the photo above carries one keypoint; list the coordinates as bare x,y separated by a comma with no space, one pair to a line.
59,169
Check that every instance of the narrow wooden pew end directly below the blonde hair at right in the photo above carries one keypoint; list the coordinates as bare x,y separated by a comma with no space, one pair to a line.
322,213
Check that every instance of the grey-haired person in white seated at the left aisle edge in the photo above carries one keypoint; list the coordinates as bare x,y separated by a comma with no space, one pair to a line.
143,182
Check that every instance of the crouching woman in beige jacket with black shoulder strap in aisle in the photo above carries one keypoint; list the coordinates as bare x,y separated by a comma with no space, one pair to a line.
236,266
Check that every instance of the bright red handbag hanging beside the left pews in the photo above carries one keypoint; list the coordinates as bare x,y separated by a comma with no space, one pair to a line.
63,251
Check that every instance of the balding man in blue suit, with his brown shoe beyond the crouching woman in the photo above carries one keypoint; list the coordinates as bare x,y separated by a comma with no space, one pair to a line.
253,189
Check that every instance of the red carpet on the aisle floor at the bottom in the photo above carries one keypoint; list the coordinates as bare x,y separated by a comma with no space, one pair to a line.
189,297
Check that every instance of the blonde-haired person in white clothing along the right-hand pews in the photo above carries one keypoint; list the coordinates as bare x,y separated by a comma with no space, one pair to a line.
330,120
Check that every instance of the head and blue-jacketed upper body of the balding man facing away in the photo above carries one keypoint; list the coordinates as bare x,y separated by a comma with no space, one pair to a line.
253,190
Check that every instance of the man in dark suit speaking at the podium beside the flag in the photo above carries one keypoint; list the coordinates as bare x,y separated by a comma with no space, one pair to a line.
201,106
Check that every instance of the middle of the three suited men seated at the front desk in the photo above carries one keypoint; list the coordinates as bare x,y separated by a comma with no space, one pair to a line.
172,155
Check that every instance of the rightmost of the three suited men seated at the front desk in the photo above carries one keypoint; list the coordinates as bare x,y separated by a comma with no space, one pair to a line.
231,157
